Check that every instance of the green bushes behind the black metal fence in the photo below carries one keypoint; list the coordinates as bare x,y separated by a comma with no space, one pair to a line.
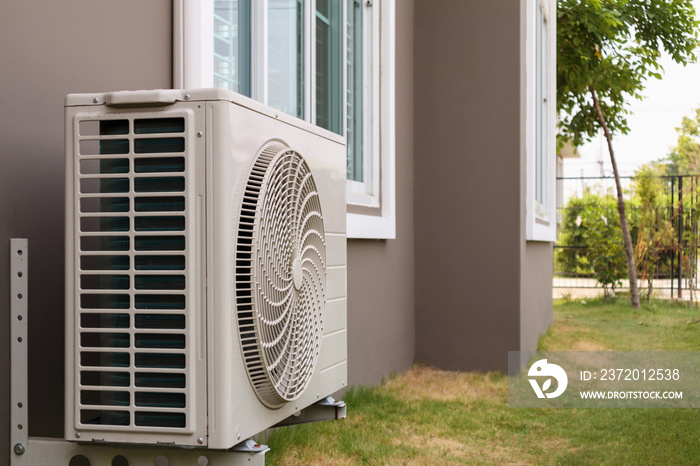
589,233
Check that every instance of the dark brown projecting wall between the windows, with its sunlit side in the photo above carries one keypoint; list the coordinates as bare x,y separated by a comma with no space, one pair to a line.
472,262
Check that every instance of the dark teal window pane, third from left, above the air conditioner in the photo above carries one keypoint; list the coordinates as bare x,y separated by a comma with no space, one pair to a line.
329,65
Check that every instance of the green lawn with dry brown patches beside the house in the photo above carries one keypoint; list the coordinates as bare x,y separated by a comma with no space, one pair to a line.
427,416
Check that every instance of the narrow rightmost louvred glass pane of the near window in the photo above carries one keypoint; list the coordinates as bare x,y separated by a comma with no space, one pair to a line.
355,91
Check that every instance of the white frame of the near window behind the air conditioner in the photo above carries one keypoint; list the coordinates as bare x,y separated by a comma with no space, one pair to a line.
372,208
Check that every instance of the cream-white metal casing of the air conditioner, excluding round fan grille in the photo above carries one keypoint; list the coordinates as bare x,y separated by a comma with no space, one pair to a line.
223,133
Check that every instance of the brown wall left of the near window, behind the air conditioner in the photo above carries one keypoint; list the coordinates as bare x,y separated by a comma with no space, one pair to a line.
49,49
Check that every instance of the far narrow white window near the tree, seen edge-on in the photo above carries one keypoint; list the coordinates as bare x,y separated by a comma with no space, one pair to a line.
540,208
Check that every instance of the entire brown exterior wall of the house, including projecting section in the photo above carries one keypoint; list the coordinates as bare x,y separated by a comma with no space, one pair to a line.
449,290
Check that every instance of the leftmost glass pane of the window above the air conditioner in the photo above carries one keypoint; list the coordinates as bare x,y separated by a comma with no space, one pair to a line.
232,65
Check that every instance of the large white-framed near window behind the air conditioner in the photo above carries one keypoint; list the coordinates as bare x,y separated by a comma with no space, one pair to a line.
329,62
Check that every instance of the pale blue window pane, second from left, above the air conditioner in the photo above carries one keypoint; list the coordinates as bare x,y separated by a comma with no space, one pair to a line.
285,42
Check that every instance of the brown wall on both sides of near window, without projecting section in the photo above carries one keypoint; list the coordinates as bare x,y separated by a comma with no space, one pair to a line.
47,50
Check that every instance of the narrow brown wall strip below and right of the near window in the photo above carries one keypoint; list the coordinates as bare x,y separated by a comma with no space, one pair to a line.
381,273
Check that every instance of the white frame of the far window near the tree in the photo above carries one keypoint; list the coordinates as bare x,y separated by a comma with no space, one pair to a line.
540,227
